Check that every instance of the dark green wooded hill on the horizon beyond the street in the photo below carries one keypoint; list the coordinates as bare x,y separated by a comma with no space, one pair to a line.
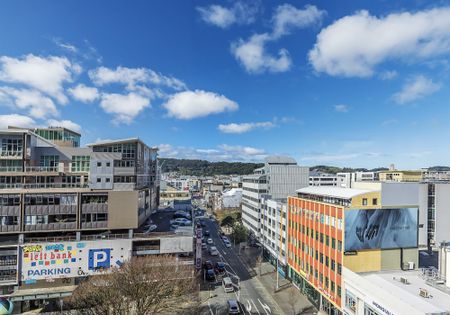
205,168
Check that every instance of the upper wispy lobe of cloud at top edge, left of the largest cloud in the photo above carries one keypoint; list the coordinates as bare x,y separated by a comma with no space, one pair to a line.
287,17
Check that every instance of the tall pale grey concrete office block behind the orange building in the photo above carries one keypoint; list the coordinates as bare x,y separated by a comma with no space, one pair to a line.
279,178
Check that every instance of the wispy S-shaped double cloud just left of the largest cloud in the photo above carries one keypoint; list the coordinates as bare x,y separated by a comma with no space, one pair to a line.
252,54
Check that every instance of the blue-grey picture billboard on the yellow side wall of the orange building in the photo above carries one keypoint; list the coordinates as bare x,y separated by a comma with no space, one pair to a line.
380,228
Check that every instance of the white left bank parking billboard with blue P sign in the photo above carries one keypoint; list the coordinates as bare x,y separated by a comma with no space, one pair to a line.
71,259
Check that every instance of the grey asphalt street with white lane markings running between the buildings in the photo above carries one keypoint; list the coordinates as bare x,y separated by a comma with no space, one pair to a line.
252,296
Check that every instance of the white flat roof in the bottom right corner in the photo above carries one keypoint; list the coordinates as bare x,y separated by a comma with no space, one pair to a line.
389,281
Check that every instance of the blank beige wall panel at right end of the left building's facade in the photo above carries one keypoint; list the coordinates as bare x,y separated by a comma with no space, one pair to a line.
122,209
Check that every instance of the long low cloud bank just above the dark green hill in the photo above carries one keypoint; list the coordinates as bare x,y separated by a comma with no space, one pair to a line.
223,152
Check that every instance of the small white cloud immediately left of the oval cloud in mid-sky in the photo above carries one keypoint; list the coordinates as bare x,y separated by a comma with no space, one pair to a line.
124,107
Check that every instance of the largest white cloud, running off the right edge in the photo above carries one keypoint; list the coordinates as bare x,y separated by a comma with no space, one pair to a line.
355,44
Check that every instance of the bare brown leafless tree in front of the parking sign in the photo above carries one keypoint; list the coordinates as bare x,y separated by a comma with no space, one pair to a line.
143,285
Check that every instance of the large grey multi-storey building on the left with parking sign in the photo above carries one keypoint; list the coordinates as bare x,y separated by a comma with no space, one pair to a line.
65,198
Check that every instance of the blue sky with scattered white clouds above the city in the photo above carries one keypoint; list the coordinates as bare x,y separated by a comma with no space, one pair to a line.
354,83
